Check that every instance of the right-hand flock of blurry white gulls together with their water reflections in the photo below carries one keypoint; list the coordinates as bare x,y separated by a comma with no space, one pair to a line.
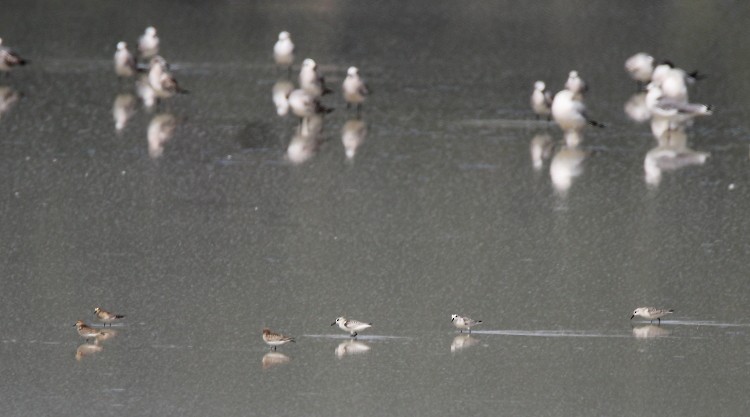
661,100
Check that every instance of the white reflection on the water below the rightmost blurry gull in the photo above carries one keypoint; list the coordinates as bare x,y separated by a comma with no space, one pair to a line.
670,154
